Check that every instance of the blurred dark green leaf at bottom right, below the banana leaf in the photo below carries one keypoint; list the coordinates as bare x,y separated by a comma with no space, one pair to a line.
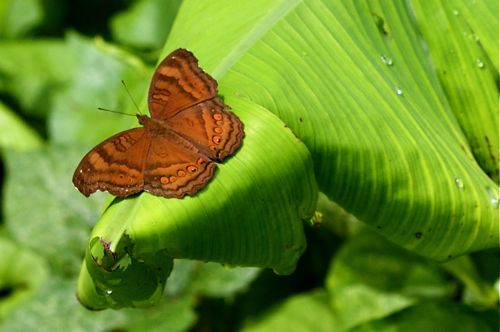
371,278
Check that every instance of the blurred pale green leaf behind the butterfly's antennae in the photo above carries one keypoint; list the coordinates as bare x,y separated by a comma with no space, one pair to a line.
95,75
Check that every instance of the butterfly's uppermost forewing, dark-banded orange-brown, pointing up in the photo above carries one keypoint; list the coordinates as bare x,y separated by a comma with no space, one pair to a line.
178,83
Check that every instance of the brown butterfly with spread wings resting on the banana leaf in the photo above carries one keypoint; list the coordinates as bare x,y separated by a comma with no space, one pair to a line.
174,153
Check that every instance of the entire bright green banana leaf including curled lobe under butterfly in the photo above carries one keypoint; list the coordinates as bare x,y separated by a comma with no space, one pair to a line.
384,127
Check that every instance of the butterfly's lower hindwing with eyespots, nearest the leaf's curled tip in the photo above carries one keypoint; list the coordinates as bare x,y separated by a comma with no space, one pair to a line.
175,167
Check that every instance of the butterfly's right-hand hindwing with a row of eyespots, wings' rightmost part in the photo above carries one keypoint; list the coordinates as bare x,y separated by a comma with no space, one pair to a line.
211,127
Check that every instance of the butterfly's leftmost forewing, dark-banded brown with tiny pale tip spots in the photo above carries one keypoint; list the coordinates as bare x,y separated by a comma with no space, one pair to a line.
115,165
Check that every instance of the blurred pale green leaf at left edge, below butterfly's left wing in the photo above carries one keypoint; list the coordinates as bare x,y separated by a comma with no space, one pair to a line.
42,209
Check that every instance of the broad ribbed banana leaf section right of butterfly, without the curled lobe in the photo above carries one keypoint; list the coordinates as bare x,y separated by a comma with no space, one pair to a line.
352,81
